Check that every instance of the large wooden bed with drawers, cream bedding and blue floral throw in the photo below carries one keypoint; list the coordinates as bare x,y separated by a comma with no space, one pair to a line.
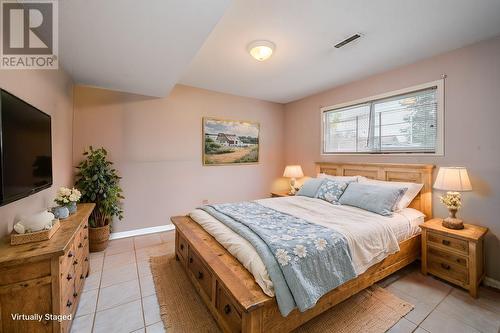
273,264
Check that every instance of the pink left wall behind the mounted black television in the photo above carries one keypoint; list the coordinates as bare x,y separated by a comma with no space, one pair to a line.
52,92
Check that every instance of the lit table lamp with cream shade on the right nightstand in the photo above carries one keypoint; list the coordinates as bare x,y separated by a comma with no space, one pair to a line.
454,180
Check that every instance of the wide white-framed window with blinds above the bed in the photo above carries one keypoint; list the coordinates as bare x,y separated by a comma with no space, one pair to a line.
402,122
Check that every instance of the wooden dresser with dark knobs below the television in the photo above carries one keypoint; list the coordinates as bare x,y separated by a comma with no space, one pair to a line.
45,277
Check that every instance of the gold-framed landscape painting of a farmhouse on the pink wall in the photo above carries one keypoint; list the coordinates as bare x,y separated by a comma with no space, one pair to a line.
229,142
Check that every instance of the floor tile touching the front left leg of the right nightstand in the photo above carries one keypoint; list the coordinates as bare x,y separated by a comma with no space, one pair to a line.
424,288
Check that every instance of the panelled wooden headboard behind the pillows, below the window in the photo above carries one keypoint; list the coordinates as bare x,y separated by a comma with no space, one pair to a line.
414,173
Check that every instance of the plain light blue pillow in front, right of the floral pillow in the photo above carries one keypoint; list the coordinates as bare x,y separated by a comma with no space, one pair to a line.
374,198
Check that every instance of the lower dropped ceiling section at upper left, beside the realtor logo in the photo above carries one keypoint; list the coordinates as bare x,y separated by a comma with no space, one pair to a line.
141,47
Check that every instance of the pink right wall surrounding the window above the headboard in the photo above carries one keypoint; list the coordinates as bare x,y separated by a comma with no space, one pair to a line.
472,112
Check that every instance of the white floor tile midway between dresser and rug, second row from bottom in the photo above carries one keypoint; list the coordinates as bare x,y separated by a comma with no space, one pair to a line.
118,294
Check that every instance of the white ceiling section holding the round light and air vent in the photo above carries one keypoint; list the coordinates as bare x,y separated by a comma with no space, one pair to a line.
395,33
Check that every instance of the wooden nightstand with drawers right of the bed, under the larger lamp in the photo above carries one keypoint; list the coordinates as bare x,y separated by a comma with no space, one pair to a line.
456,256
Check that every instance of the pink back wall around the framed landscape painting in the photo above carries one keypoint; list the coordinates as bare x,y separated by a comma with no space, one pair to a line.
156,144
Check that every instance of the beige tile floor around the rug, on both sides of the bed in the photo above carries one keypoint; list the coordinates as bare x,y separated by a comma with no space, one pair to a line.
119,295
